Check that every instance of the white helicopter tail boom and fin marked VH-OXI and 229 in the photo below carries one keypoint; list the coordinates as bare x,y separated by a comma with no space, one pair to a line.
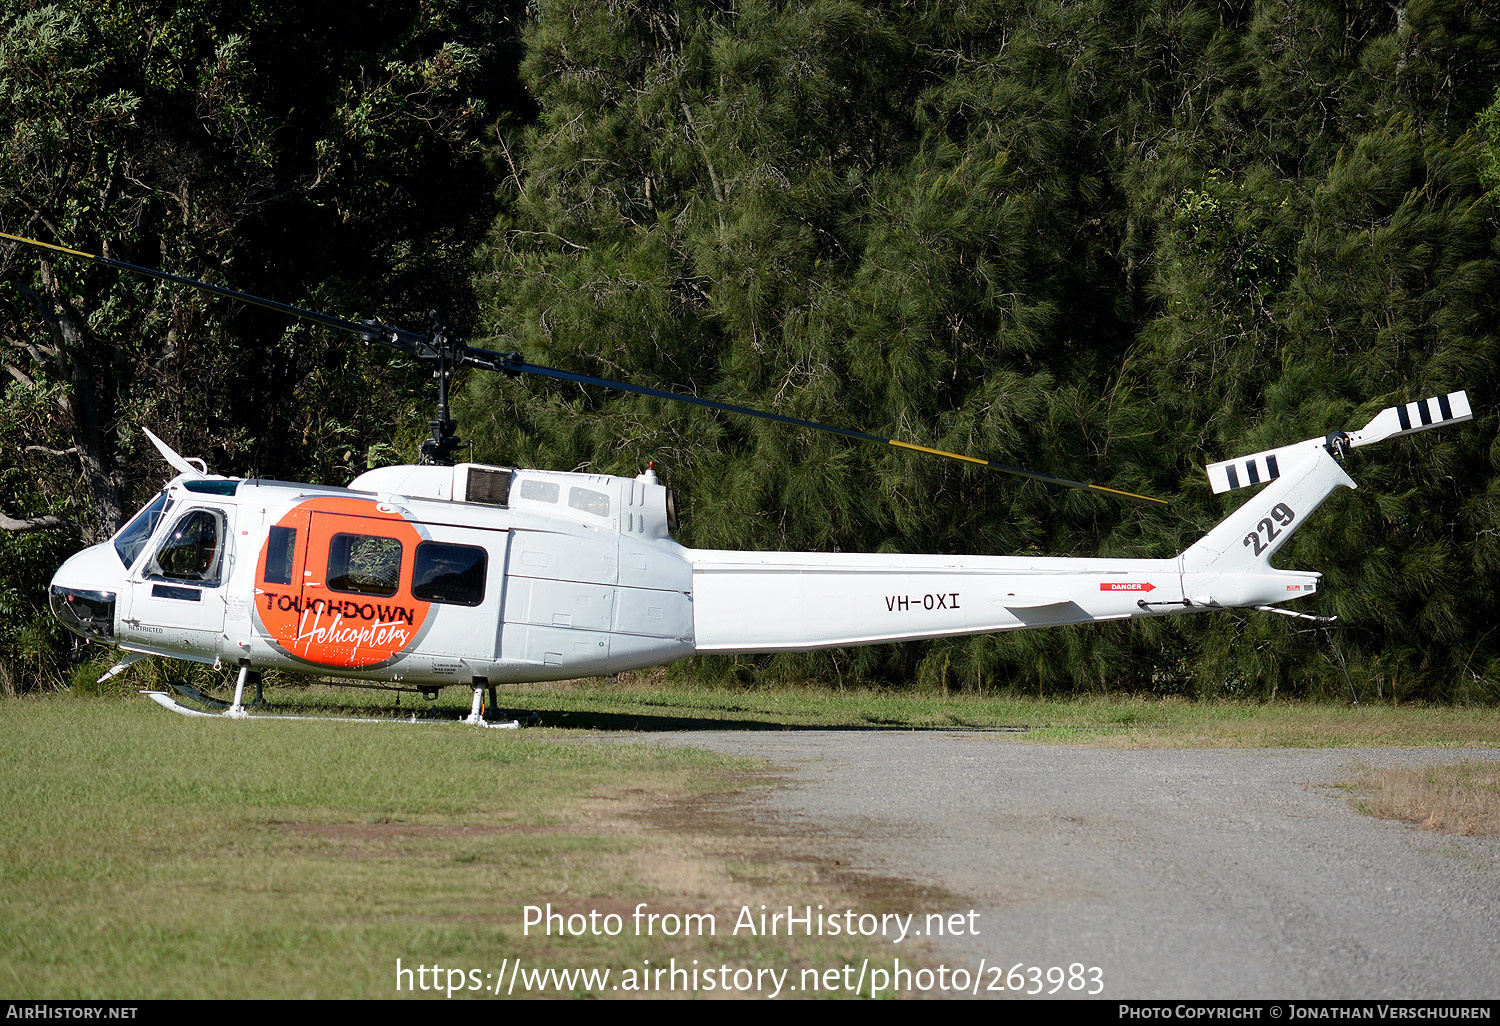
757,602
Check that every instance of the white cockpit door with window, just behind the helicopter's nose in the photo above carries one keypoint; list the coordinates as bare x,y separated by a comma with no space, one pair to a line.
176,601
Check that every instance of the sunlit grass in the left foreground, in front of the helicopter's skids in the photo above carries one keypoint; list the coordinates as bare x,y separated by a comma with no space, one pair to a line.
151,856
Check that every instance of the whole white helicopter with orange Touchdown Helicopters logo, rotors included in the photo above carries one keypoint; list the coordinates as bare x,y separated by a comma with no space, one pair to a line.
472,575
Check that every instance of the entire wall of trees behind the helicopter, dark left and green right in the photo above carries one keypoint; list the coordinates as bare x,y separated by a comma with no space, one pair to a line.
1106,241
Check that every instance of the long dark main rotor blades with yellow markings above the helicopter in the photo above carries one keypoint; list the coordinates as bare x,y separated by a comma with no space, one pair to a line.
512,364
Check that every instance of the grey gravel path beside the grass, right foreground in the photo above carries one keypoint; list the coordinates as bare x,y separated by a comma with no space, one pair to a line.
1181,874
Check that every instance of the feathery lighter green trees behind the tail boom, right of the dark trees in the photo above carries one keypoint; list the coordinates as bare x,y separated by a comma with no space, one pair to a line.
1111,241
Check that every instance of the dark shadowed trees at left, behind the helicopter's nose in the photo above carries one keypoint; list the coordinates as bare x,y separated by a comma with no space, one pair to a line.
322,154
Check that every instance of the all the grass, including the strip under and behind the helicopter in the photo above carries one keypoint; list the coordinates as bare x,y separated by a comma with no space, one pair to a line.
151,856
